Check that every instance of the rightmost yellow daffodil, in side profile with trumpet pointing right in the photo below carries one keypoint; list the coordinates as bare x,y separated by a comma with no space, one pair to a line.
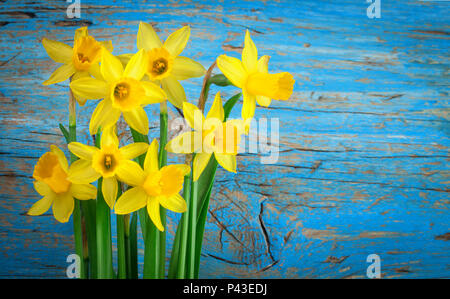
252,76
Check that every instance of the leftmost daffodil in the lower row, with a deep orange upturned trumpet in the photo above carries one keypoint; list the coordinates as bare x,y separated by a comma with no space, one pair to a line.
51,182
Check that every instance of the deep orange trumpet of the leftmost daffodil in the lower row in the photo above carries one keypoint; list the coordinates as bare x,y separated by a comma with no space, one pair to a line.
50,172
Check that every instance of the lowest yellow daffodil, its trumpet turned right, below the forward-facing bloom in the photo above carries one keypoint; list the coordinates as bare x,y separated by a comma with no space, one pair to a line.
153,187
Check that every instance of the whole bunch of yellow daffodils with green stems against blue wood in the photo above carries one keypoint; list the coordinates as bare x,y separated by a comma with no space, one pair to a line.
134,181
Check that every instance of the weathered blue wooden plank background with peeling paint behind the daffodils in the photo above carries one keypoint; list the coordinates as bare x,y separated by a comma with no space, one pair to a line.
364,139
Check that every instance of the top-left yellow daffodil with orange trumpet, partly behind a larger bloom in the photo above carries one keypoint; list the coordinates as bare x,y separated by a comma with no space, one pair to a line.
78,62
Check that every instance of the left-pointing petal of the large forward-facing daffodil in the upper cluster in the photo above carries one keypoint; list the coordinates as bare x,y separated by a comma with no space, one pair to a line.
89,88
